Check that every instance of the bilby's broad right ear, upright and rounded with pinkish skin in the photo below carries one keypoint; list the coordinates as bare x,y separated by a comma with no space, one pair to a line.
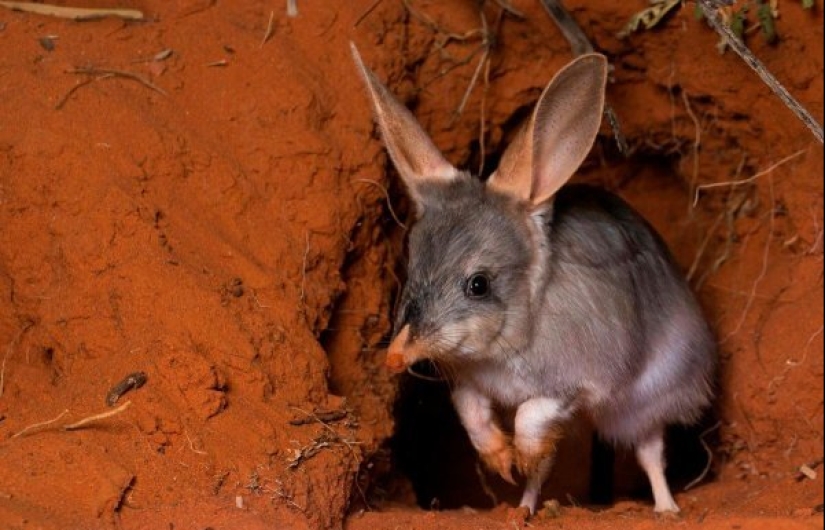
560,133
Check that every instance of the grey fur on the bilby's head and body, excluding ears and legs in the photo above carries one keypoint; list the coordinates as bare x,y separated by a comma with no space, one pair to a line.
617,331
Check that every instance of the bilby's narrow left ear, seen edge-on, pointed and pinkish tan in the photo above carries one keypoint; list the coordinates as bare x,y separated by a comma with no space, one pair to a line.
415,156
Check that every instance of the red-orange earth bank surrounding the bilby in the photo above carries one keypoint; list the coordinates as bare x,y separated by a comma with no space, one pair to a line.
221,218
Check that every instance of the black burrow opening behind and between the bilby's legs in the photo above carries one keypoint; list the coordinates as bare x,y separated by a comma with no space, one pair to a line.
431,450
